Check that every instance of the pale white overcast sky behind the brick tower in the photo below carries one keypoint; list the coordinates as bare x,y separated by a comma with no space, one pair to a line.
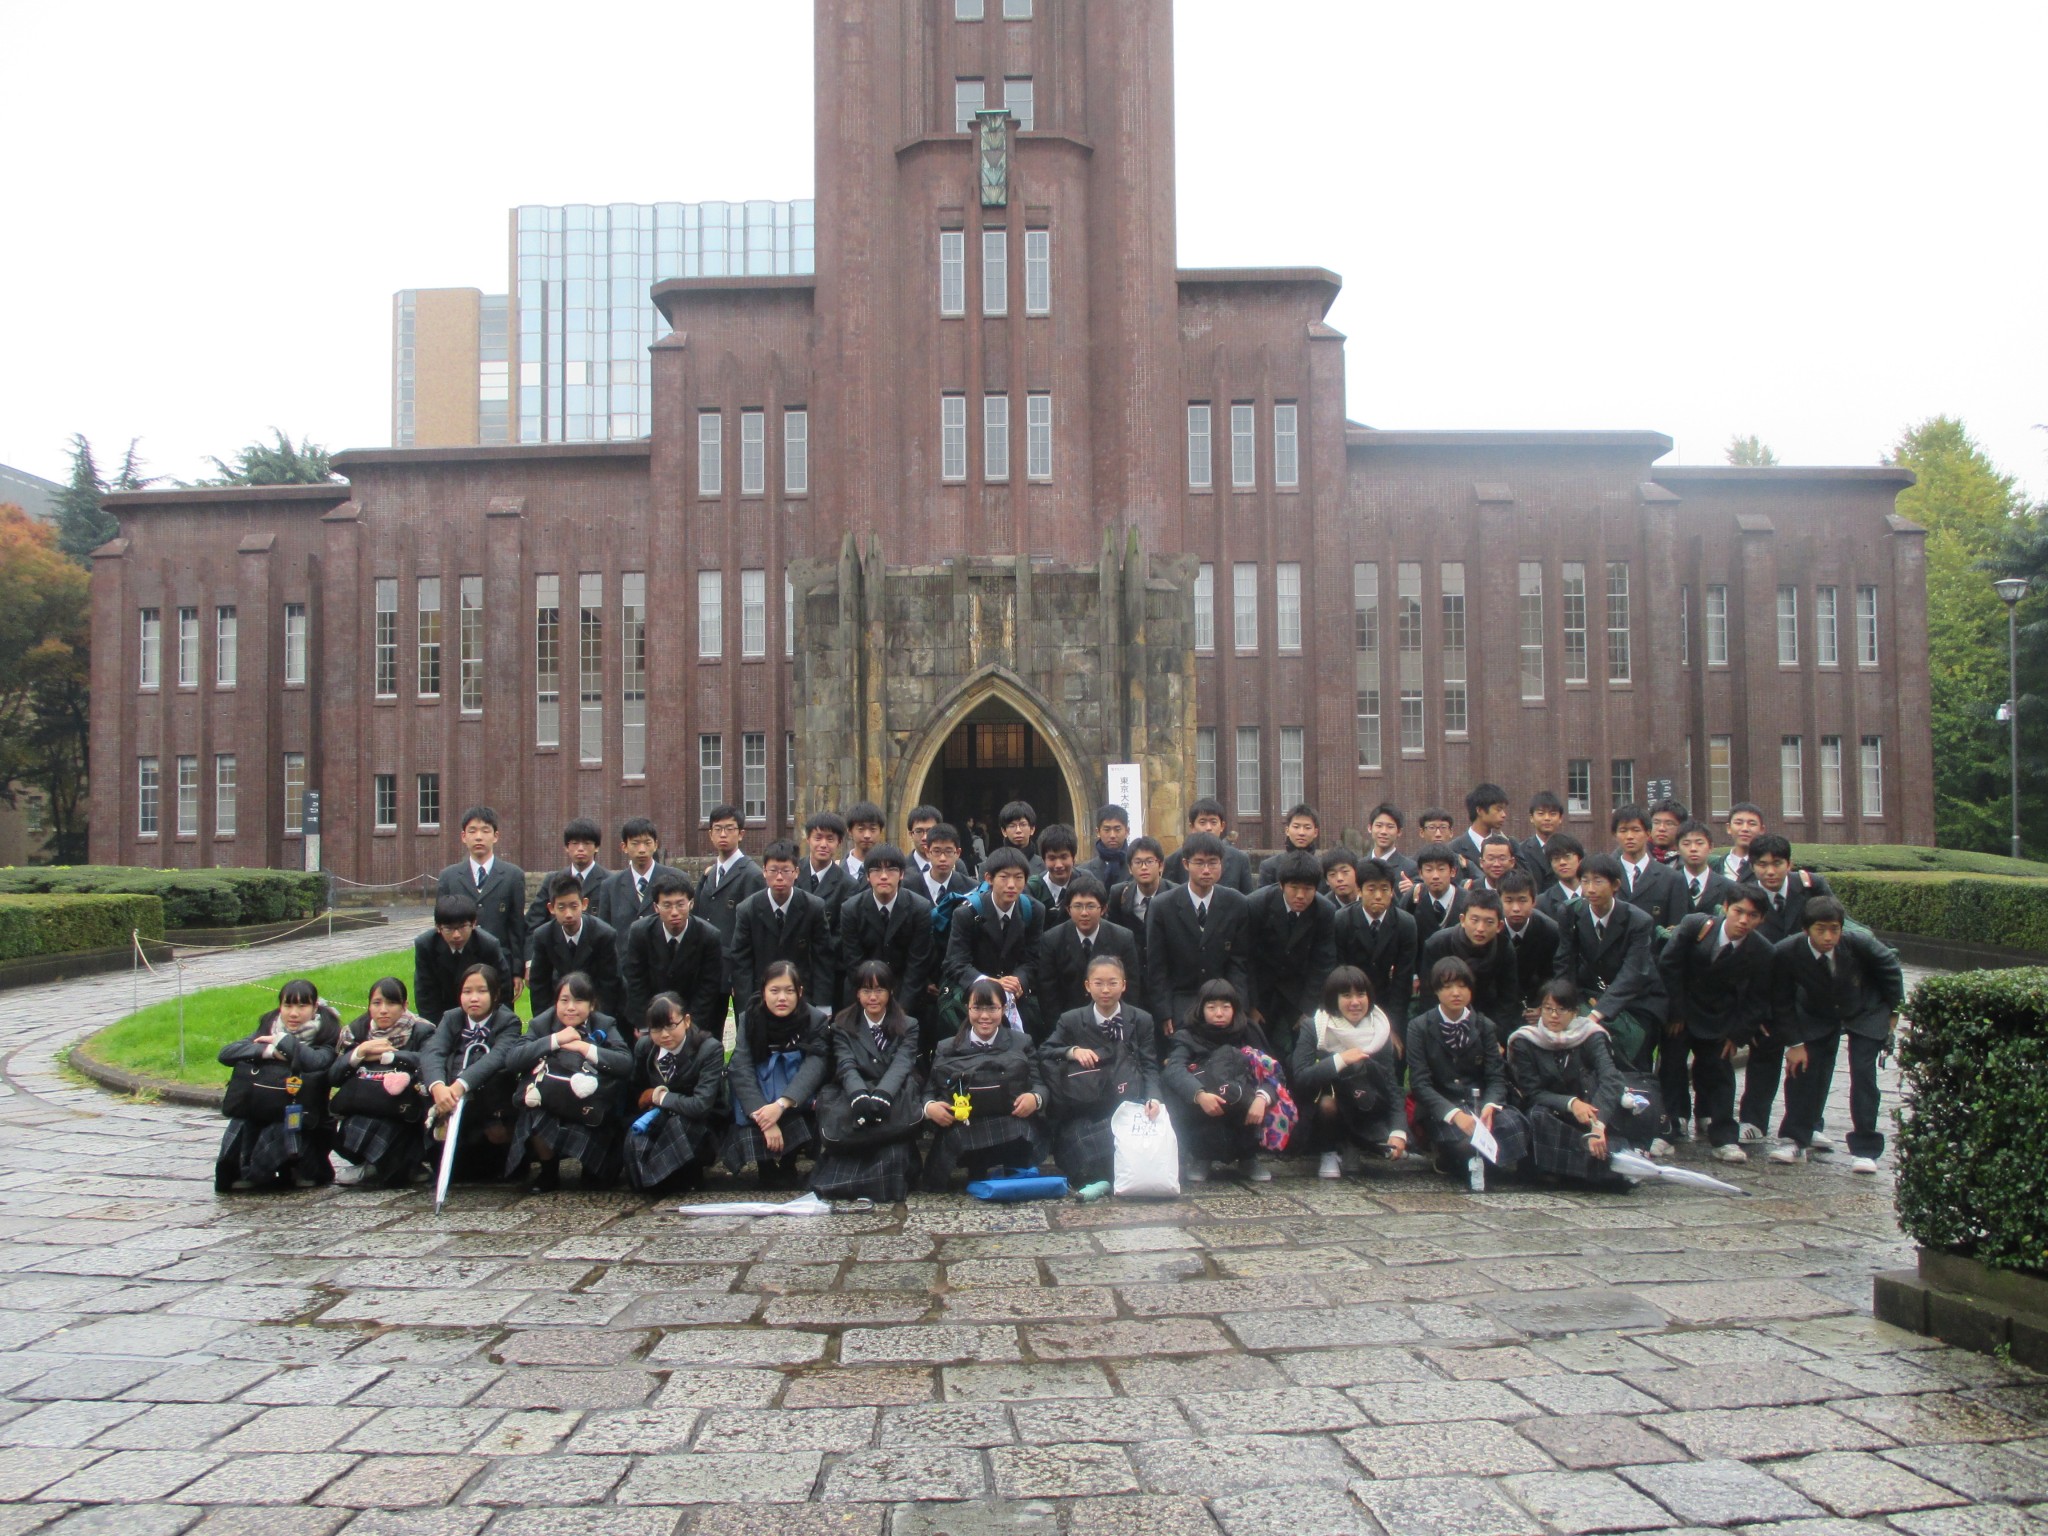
1814,222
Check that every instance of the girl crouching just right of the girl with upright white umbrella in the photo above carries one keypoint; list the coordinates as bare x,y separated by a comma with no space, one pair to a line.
570,1074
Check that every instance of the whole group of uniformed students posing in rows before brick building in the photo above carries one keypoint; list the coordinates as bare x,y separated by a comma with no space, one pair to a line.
1506,1007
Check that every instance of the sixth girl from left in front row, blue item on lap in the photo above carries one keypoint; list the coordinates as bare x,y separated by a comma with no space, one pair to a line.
779,1064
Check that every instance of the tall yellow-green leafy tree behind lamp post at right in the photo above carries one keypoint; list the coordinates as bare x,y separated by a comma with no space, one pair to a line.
1969,511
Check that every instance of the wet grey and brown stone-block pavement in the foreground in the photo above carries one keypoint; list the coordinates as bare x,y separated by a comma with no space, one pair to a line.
1388,1355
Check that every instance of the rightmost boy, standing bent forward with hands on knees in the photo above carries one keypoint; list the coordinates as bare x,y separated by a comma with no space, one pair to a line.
1832,982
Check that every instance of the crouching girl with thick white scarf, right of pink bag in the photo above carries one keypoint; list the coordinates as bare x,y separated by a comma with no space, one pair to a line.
1349,1076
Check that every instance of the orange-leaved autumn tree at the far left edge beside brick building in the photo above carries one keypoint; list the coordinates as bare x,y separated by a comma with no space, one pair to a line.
46,628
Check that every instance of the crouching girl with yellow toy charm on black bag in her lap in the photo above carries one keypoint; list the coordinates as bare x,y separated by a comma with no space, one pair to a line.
994,1068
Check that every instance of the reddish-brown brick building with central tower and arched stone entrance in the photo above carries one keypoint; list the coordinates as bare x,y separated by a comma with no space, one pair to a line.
994,499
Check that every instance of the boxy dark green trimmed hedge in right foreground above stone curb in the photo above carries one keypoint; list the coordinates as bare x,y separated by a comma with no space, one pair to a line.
1973,1175
